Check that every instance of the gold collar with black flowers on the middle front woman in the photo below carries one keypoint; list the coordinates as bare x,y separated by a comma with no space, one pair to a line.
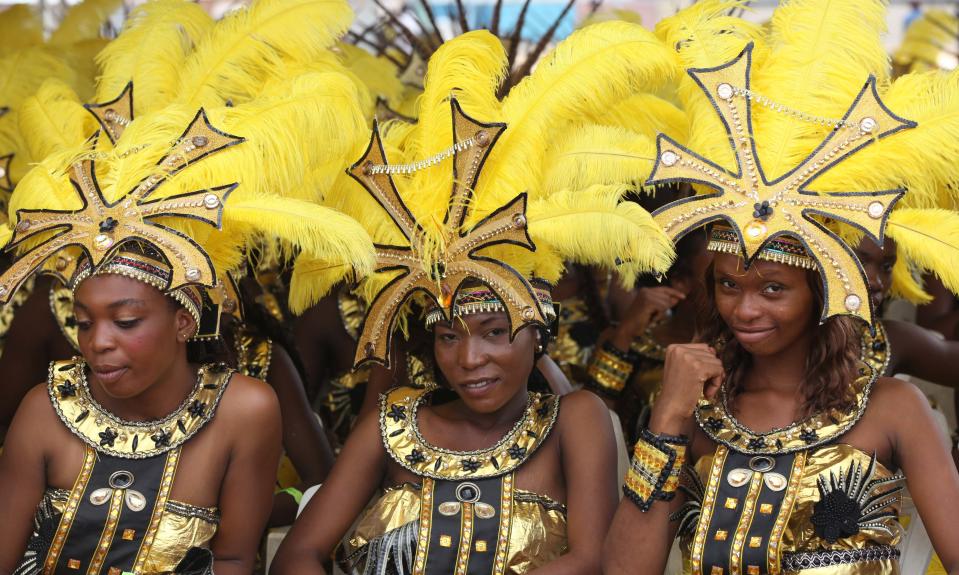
406,445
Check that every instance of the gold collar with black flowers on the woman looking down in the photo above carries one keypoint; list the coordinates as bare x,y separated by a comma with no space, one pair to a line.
107,433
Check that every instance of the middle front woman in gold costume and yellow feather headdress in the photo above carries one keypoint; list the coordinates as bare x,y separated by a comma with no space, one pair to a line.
481,475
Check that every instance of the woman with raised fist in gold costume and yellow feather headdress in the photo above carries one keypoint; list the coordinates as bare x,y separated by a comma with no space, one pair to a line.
774,446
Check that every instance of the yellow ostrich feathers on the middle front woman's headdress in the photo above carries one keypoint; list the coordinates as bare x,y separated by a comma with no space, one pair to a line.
590,71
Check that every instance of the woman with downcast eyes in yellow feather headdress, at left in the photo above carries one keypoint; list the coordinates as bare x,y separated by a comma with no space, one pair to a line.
134,457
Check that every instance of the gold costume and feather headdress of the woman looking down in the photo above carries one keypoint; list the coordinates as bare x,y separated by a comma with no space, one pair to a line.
170,192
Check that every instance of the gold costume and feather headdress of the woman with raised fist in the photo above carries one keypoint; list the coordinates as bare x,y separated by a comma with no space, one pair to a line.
798,146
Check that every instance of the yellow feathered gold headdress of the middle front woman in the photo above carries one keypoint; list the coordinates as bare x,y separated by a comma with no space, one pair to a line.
462,192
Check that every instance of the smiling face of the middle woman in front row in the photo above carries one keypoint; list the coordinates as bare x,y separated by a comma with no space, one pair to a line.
481,364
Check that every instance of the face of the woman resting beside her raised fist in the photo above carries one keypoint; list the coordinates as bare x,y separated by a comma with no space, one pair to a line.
768,308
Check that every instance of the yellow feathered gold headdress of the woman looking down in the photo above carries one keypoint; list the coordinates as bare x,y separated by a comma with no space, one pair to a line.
199,185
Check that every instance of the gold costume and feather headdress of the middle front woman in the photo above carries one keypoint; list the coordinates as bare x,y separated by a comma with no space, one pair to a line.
462,221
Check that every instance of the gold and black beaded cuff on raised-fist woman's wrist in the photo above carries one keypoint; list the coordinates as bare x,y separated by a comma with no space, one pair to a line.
654,472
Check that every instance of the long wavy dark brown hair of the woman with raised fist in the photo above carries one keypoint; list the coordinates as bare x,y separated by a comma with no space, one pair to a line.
832,364
